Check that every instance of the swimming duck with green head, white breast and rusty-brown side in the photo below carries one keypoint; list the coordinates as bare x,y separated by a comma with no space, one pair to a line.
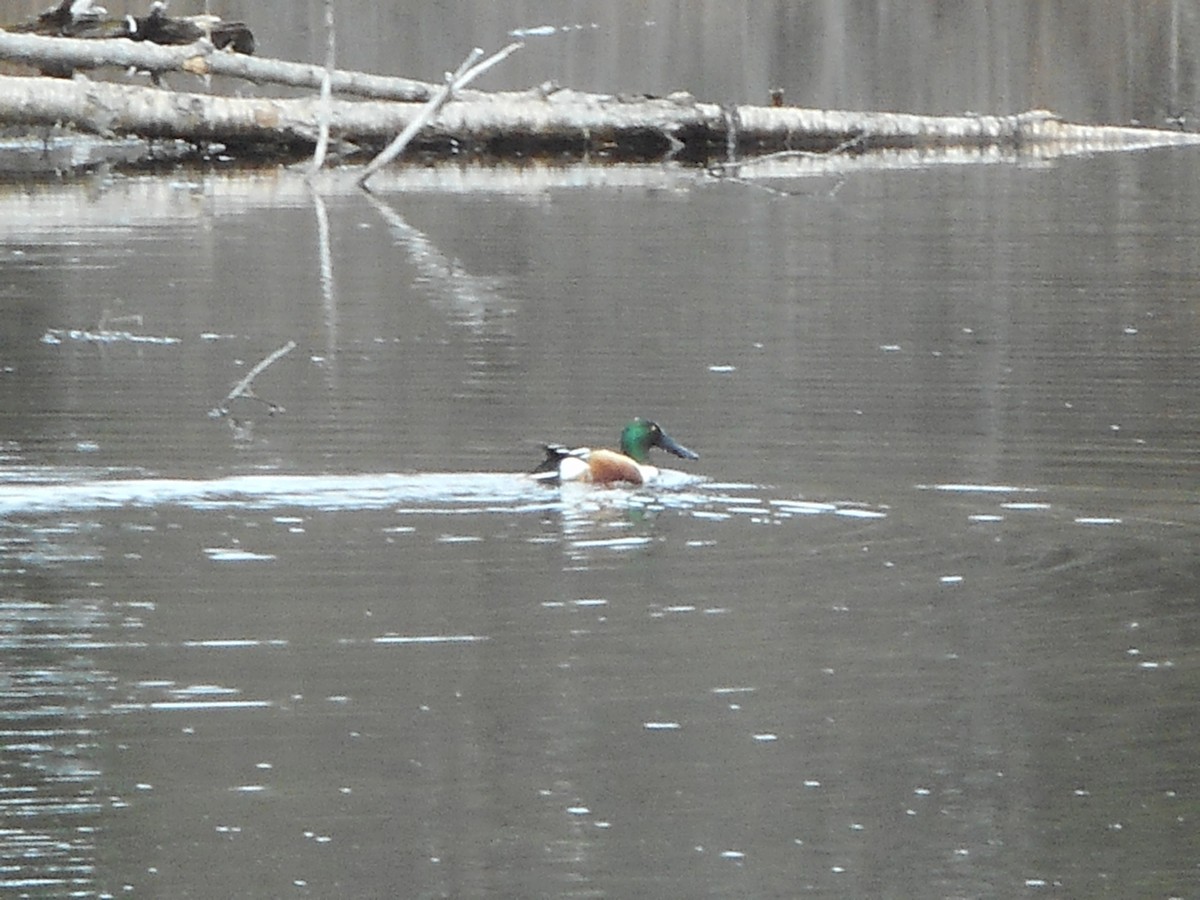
609,467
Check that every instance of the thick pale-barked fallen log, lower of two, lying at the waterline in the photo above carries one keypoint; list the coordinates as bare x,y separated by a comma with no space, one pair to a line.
560,123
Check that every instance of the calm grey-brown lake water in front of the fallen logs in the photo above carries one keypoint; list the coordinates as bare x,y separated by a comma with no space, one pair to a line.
920,622
